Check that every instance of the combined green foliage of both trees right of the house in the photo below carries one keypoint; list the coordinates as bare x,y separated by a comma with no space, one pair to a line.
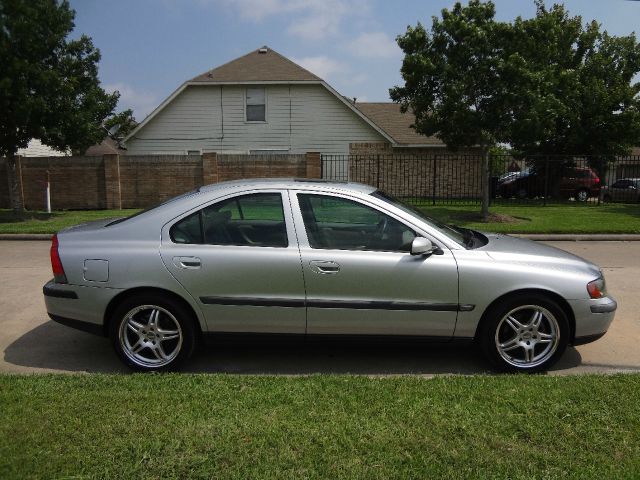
549,84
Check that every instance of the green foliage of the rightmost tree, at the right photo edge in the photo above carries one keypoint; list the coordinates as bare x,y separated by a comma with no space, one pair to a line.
572,89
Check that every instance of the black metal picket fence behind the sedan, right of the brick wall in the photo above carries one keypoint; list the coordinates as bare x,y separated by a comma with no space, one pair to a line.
457,178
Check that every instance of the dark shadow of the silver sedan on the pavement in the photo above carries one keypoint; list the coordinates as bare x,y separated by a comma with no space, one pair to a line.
57,348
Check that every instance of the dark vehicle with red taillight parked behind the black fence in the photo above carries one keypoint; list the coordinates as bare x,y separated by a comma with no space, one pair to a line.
575,182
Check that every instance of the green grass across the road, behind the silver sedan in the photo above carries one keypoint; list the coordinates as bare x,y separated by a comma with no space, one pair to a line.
567,218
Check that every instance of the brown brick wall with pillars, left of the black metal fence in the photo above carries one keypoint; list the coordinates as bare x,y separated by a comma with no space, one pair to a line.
114,181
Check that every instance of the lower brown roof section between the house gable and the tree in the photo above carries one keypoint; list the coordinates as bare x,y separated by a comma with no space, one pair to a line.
397,124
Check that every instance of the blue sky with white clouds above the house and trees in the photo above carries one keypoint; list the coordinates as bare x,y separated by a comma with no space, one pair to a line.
150,47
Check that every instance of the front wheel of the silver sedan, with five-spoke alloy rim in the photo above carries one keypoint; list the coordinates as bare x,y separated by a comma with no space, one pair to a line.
526,333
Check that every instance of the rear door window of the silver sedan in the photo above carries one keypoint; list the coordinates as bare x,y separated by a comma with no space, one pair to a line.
248,220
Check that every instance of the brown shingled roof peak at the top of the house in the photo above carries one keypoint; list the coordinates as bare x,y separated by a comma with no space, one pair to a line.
261,65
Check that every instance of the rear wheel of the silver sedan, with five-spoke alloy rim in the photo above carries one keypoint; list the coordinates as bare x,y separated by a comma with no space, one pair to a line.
152,333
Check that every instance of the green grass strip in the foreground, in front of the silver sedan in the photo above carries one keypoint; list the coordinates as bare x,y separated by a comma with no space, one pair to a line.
227,426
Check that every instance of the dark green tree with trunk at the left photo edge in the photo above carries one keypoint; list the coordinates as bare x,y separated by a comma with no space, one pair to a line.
49,86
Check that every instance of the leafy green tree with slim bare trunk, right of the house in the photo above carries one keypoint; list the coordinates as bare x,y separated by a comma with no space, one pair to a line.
454,82
